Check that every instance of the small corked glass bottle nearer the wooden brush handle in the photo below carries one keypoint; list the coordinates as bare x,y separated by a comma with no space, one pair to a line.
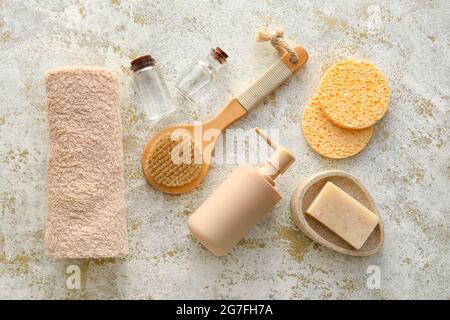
201,73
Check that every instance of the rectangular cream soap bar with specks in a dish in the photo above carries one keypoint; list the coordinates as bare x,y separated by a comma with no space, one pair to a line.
344,215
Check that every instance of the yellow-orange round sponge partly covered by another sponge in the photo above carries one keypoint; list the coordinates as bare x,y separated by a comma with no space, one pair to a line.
328,139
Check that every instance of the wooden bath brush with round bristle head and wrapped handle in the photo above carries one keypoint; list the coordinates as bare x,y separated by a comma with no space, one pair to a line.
195,143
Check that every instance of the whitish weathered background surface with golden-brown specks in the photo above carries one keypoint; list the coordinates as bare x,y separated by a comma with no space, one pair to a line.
405,166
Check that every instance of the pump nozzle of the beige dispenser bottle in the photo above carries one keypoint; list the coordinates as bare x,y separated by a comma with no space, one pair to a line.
278,162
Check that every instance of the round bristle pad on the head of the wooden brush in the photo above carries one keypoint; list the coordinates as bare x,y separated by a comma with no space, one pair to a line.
160,166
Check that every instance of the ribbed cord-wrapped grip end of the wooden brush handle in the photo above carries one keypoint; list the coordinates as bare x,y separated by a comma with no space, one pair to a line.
272,79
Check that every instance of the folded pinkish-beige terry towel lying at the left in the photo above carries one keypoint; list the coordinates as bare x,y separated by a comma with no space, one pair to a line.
86,207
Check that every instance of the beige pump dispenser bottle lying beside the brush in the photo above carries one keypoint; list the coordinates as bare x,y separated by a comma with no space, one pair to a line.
239,202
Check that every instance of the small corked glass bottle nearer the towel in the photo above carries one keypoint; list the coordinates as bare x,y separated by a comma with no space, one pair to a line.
152,88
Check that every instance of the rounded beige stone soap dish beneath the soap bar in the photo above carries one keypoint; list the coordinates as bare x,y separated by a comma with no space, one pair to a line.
313,229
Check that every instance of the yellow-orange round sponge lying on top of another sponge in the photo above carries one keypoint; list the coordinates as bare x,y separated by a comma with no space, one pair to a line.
353,94
